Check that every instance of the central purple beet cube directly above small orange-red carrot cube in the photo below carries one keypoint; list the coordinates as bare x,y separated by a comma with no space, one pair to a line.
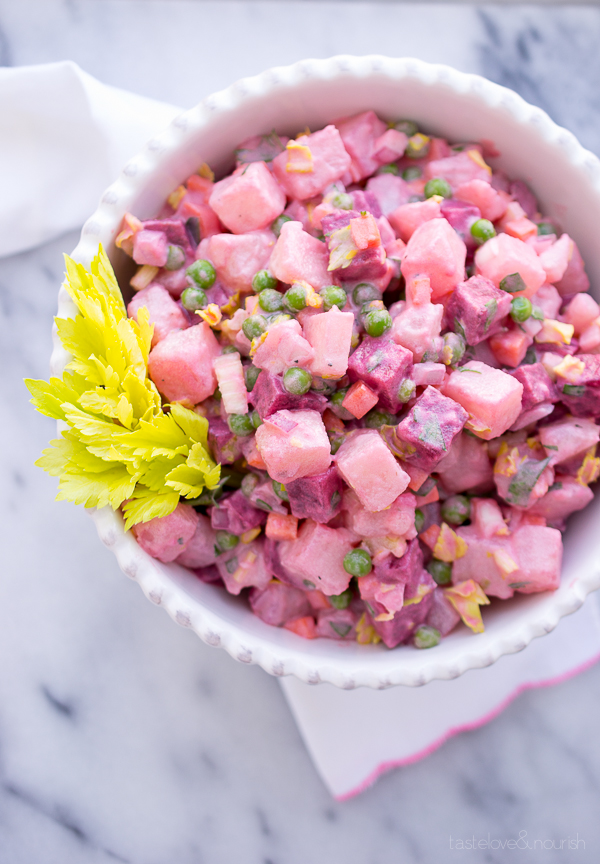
382,365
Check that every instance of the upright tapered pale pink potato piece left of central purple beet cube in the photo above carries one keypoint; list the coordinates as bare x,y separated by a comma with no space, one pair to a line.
330,335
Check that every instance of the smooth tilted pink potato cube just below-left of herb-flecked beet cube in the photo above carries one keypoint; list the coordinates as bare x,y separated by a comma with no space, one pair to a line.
369,468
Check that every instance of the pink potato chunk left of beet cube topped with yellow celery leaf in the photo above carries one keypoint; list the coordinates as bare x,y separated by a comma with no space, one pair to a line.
298,257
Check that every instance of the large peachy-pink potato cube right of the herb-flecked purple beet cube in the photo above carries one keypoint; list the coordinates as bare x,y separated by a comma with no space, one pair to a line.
491,397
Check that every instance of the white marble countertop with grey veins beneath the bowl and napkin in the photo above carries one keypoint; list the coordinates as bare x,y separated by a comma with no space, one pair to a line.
123,737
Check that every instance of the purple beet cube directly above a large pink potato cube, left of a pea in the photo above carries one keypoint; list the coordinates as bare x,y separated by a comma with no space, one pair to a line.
476,309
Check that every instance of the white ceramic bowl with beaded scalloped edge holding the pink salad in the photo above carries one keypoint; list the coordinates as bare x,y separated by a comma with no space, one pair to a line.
566,179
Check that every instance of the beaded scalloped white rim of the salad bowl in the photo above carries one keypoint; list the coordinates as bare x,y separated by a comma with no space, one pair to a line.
221,620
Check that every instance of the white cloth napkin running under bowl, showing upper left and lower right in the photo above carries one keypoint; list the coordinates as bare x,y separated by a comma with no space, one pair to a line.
65,137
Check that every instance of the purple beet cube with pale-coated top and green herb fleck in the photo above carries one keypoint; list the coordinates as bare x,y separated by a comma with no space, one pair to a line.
426,434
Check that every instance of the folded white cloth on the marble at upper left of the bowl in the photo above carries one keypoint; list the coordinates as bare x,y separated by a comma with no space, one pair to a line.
65,138
